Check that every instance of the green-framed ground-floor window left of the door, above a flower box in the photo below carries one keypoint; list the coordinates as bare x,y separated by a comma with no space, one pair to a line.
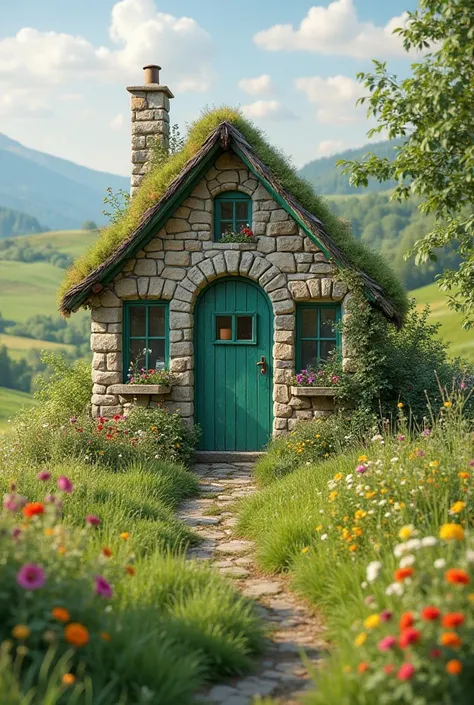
145,334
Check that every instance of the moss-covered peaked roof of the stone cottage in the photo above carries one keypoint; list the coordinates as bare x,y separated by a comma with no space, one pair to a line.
167,185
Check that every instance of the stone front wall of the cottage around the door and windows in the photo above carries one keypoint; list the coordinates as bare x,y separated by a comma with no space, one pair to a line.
183,258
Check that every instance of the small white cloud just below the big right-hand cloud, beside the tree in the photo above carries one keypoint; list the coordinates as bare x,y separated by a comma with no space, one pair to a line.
335,96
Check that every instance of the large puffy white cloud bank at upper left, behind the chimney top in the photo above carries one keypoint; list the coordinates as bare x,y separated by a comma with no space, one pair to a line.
141,35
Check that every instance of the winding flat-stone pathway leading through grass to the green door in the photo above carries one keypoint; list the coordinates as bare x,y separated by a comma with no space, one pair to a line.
292,628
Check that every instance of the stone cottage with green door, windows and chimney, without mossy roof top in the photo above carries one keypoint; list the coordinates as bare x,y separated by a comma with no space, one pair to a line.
233,321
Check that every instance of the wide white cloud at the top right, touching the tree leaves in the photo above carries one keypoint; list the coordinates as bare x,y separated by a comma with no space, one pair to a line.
335,30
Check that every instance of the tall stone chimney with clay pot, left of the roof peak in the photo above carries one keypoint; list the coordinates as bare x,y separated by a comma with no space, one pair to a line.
150,108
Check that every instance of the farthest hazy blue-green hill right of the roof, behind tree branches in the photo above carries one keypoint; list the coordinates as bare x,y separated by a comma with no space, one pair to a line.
327,178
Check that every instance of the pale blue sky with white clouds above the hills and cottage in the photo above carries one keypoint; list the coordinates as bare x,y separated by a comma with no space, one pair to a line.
291,66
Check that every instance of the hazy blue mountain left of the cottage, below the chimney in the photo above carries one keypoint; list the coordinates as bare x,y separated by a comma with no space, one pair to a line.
57,192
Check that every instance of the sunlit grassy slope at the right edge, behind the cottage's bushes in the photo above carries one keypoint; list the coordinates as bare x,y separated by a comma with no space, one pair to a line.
461,342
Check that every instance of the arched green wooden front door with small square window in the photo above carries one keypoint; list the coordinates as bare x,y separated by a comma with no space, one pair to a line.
233,331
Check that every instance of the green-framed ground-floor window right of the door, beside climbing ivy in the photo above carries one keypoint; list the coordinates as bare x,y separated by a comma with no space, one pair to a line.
316,334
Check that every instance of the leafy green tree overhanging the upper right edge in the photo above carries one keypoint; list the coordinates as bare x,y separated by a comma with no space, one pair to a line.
432,111
